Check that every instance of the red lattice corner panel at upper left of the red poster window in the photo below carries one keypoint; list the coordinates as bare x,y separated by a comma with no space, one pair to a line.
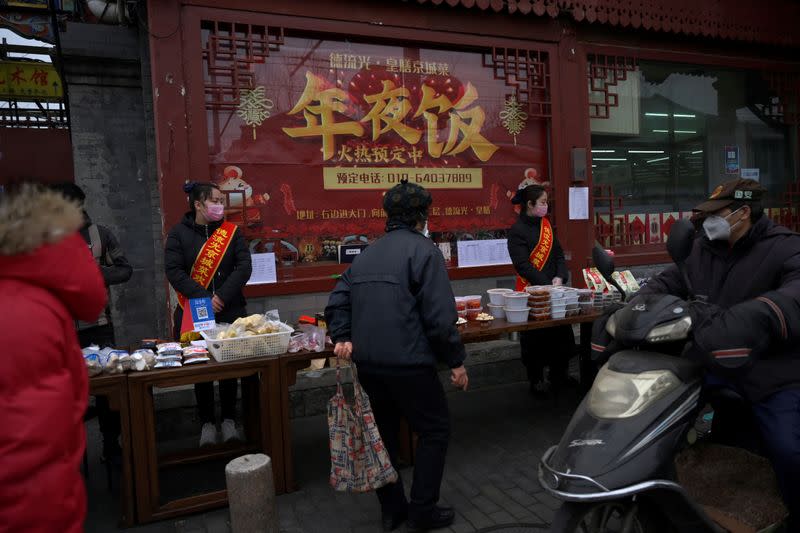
229,51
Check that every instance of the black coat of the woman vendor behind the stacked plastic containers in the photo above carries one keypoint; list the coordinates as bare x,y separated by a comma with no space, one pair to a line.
522,239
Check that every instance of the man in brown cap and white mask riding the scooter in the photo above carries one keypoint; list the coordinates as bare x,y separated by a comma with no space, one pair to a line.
749,268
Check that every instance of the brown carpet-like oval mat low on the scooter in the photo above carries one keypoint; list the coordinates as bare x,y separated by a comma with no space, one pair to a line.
734,485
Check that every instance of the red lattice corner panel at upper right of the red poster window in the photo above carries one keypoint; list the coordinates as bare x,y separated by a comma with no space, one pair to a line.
527,72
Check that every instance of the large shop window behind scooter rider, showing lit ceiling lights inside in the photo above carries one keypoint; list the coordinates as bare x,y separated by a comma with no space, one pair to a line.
664,135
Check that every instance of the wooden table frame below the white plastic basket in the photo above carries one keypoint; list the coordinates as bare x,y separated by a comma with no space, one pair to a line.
263,376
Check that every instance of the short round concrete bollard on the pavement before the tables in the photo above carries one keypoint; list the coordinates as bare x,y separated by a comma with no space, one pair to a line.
251,494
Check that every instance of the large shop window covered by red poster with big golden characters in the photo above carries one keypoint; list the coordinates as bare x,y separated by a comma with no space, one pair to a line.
306,134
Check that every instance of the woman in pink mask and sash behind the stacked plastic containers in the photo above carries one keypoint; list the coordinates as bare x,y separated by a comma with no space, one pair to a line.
539,260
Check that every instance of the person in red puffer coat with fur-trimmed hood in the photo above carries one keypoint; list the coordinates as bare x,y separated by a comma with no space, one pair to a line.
48,278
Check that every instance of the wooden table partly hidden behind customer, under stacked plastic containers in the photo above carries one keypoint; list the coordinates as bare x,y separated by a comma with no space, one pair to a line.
290,364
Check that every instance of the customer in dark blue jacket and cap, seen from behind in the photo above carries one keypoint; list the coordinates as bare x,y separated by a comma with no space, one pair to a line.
393,312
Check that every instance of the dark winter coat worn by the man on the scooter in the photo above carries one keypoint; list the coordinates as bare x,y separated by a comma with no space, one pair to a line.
756,283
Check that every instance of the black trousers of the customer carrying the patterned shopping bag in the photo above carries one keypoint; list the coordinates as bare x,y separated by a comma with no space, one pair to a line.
419,397
